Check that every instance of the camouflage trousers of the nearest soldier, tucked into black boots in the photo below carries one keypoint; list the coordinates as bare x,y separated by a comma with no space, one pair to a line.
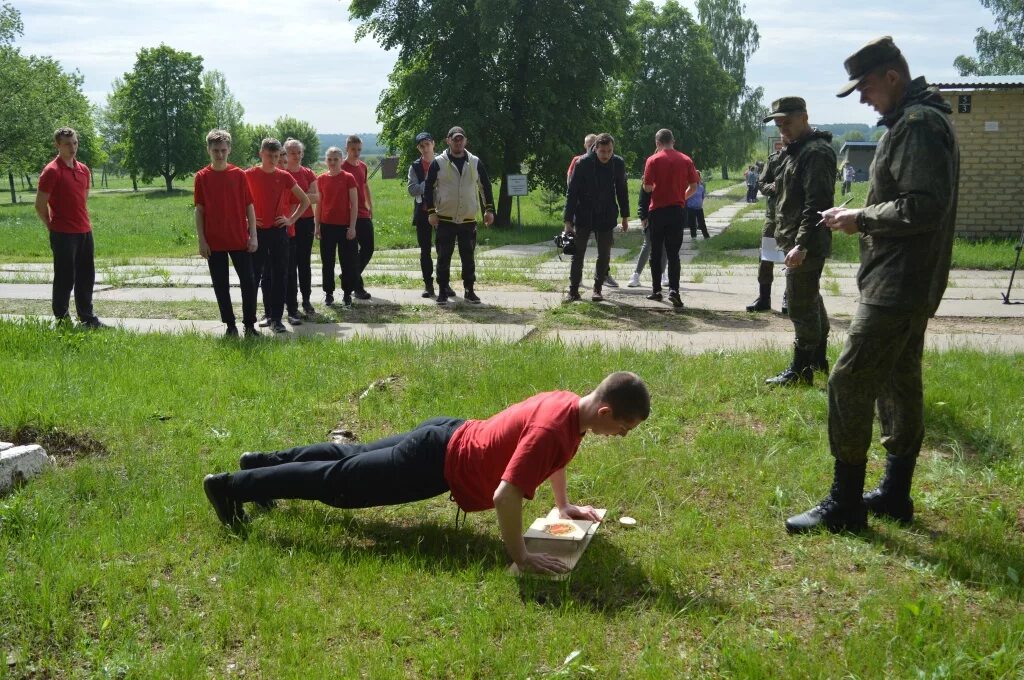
880,367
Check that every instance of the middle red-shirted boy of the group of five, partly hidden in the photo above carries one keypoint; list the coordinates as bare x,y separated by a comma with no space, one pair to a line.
302,245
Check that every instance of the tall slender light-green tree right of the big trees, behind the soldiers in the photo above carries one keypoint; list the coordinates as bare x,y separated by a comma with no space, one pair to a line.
735,39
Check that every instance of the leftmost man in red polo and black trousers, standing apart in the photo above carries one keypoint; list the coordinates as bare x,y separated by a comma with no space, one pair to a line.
61,204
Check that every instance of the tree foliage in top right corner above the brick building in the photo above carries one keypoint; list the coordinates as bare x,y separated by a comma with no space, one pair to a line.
1001,52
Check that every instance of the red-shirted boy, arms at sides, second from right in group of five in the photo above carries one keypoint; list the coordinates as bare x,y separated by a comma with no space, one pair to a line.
335,218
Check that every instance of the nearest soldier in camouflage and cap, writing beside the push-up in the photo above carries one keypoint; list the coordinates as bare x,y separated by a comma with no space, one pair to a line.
907,235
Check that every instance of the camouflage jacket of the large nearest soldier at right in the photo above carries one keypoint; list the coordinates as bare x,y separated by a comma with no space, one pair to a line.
907,229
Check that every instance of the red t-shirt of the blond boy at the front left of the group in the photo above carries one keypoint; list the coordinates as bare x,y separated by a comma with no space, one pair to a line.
225,196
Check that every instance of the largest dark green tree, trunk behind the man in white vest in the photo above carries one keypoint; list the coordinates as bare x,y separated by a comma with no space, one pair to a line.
527,79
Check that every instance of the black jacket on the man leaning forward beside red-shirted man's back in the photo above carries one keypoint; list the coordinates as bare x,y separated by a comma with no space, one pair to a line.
592,203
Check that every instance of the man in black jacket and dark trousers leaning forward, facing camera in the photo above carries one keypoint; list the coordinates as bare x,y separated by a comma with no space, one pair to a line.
598,197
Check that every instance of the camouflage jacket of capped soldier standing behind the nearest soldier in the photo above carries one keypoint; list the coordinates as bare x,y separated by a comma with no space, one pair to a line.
806,187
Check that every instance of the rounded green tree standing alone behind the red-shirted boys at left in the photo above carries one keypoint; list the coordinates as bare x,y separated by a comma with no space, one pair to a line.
167,110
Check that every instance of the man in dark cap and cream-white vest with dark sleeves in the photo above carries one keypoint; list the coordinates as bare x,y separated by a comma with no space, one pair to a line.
455,184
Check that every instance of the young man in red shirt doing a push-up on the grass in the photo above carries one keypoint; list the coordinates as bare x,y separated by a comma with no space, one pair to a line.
493,463
